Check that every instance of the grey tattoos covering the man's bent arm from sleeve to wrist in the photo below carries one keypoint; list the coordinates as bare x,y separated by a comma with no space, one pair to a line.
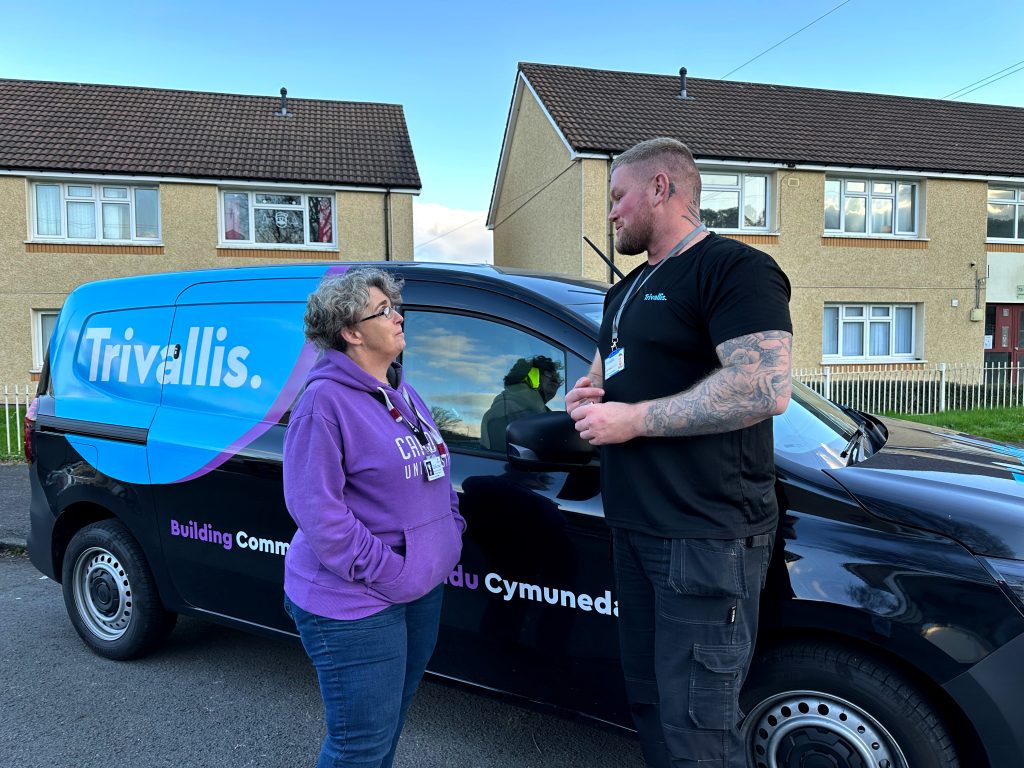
753,385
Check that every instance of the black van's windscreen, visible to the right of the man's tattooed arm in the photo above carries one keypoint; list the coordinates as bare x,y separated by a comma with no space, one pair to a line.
814,432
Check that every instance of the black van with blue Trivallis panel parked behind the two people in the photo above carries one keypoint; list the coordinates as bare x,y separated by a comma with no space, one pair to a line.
892,626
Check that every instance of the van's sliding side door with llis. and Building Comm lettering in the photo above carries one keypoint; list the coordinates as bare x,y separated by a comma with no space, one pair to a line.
218,442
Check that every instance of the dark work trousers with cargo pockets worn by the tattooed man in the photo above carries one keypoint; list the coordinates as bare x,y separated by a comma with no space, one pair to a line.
688,624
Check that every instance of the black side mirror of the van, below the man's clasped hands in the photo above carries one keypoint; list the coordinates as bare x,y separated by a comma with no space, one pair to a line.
547,443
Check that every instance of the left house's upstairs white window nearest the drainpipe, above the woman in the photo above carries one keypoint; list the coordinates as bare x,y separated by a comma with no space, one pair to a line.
275,219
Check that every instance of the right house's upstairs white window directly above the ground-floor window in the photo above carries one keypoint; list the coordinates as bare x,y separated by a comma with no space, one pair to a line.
882,207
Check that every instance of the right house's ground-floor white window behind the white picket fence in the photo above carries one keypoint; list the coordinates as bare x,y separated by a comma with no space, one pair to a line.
870,333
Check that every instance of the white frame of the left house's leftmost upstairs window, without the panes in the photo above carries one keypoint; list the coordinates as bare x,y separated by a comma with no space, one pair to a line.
98,199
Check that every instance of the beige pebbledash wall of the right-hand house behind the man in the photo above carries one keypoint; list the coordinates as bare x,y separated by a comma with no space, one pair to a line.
930,272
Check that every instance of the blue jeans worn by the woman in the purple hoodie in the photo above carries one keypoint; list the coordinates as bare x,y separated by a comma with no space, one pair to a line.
369,670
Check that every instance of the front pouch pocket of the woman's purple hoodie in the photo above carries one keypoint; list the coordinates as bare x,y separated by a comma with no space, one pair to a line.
433,550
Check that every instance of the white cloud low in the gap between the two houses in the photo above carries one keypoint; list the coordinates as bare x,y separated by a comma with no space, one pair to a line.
451,235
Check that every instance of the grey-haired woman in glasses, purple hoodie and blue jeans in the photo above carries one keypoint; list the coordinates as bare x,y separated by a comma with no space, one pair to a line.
367,482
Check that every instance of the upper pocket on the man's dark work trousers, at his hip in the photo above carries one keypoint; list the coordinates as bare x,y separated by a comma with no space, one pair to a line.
709,568
